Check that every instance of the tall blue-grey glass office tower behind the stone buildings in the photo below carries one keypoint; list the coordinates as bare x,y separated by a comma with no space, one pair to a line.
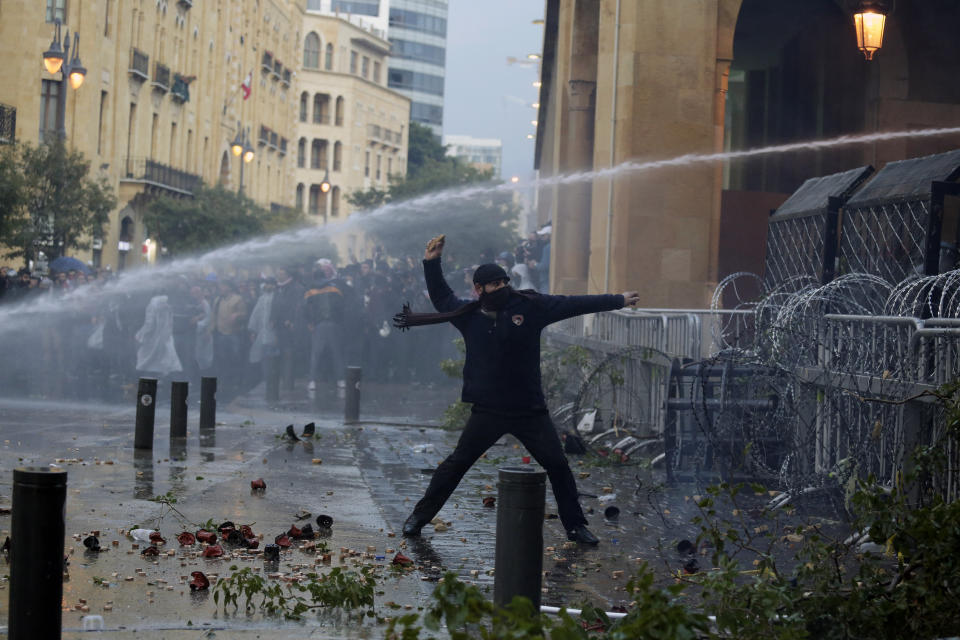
418,39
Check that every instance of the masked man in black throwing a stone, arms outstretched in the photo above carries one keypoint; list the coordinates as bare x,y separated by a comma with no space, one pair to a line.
501,379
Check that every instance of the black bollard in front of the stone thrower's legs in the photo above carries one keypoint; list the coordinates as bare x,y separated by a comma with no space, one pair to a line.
519,553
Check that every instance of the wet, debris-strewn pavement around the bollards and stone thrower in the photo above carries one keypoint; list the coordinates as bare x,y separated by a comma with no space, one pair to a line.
366,476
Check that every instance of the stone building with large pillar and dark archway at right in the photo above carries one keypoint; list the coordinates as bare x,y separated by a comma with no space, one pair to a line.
651,79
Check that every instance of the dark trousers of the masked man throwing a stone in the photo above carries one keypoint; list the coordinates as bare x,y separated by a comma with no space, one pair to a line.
537,434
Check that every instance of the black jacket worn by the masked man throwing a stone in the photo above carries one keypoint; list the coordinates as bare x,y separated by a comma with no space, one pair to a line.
502,369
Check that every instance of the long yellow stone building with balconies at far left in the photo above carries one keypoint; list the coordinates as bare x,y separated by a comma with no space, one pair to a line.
162,98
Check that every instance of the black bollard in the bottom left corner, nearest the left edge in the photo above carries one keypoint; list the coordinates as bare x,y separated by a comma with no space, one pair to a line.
37,532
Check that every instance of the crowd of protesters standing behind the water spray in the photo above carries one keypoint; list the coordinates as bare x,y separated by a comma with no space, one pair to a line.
282,324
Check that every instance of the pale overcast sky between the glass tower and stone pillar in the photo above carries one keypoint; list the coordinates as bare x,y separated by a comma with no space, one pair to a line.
485,95
